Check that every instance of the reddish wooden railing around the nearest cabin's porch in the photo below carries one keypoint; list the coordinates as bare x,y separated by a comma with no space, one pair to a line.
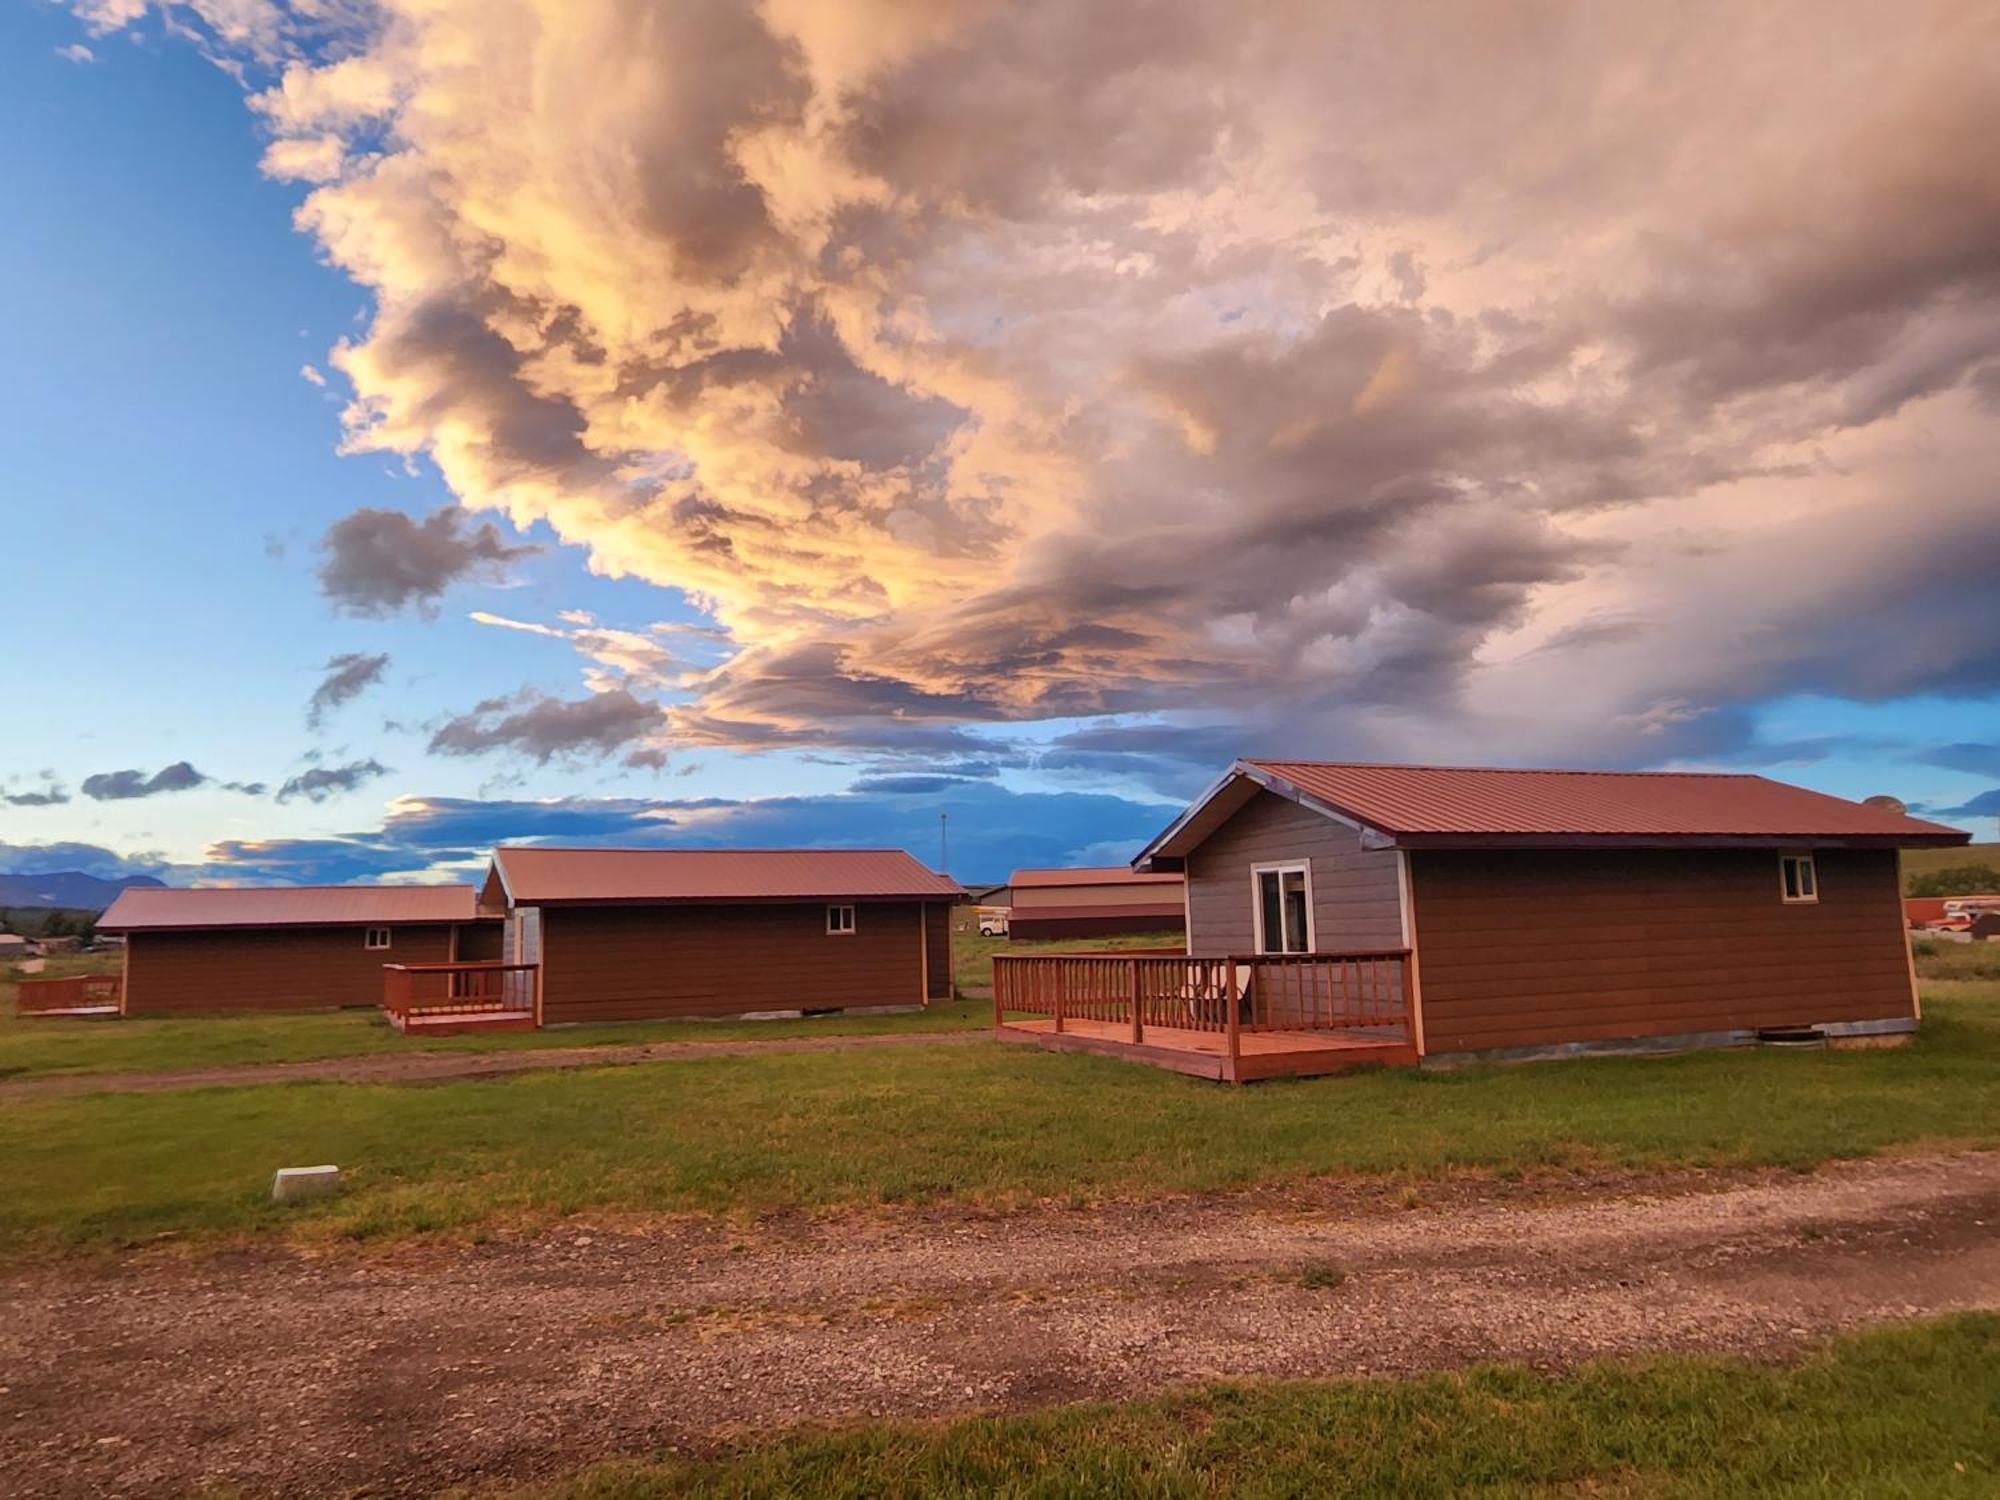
1253,993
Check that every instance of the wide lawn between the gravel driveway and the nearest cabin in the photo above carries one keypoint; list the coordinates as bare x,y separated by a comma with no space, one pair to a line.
987,1123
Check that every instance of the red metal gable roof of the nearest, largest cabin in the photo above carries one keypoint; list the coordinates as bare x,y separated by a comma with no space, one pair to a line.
1477,807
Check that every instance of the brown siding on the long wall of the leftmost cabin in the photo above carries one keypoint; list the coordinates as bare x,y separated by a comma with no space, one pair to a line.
269,969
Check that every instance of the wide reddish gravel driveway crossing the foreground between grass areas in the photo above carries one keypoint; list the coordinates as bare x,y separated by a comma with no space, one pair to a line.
405,1373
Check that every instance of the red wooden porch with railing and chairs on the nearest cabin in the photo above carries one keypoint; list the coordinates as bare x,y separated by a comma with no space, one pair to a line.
1229,1019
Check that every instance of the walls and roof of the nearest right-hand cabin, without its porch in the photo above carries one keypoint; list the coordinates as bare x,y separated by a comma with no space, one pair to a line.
1559,911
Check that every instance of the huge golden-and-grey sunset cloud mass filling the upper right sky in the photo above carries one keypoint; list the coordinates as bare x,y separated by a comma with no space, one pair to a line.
1505,389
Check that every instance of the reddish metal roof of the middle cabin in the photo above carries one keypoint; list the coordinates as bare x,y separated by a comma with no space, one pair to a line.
651,877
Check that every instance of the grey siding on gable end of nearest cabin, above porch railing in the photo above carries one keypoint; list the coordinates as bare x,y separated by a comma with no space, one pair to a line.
1357,903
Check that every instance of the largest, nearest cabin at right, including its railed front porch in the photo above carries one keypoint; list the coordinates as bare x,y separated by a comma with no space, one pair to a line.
1351,913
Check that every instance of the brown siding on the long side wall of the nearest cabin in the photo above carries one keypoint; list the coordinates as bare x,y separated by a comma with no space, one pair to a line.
1545,947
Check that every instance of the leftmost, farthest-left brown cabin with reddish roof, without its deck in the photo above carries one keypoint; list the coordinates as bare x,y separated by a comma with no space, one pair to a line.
287,947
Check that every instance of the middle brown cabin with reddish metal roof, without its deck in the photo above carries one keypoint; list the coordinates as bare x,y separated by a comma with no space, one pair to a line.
667,933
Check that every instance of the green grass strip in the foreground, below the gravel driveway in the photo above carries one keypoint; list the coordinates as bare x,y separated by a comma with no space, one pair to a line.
1895,1413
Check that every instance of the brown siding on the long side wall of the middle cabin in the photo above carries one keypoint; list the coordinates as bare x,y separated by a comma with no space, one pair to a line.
647,963
